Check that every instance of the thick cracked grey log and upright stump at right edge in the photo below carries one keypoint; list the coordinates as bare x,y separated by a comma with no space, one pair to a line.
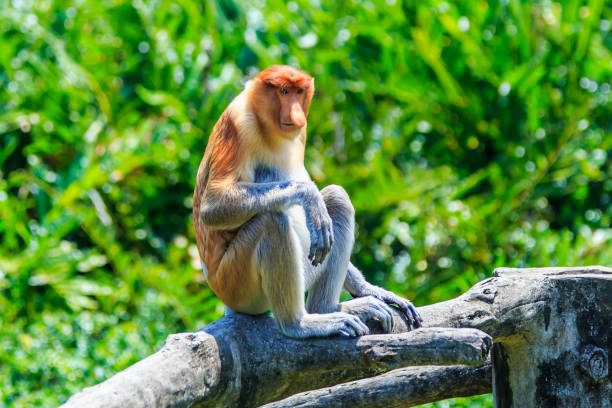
552,329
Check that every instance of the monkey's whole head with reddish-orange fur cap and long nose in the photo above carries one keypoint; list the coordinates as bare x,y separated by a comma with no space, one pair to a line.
281,99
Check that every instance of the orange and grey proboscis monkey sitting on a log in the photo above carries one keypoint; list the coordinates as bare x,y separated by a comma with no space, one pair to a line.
266,234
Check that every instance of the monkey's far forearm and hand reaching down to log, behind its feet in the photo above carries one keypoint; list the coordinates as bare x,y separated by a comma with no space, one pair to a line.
357,286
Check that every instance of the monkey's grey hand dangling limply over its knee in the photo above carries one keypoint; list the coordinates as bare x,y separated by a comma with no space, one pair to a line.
319,225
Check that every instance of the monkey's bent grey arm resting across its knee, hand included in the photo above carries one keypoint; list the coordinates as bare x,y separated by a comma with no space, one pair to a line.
235,205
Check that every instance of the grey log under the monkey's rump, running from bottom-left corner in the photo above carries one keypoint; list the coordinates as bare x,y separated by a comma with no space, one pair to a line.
244,361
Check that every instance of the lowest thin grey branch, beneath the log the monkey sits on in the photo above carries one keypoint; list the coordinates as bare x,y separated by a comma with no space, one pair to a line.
399,388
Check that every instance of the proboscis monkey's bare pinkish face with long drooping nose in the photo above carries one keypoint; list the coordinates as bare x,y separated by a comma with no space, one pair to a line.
291,110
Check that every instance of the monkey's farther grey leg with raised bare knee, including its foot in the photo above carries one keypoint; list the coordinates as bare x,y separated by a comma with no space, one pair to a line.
330,276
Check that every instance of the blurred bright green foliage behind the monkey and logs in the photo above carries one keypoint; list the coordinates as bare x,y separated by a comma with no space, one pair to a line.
469,134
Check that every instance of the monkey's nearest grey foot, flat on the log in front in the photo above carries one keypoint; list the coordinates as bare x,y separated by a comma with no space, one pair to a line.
324,325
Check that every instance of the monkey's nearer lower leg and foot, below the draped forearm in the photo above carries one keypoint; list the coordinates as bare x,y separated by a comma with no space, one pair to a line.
278,261
